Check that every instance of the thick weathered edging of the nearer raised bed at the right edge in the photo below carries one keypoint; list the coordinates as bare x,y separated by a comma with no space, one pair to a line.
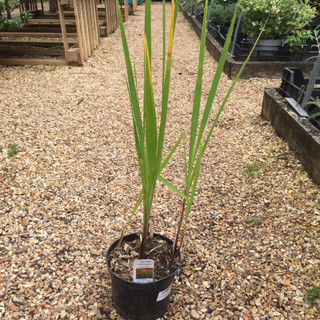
301,135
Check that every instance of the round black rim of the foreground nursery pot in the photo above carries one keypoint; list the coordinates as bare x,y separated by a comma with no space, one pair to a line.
111,247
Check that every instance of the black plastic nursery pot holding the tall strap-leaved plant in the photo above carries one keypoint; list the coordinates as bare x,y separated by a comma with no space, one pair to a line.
141,301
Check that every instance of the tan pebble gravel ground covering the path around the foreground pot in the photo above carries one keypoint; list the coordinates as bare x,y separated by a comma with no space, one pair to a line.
252,246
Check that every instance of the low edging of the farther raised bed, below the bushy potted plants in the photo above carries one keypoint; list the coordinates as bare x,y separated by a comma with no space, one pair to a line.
264,69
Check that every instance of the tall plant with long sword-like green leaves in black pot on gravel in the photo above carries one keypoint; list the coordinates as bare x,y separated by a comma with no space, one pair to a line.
142,266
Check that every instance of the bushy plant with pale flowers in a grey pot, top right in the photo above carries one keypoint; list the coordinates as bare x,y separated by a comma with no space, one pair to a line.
287,22
